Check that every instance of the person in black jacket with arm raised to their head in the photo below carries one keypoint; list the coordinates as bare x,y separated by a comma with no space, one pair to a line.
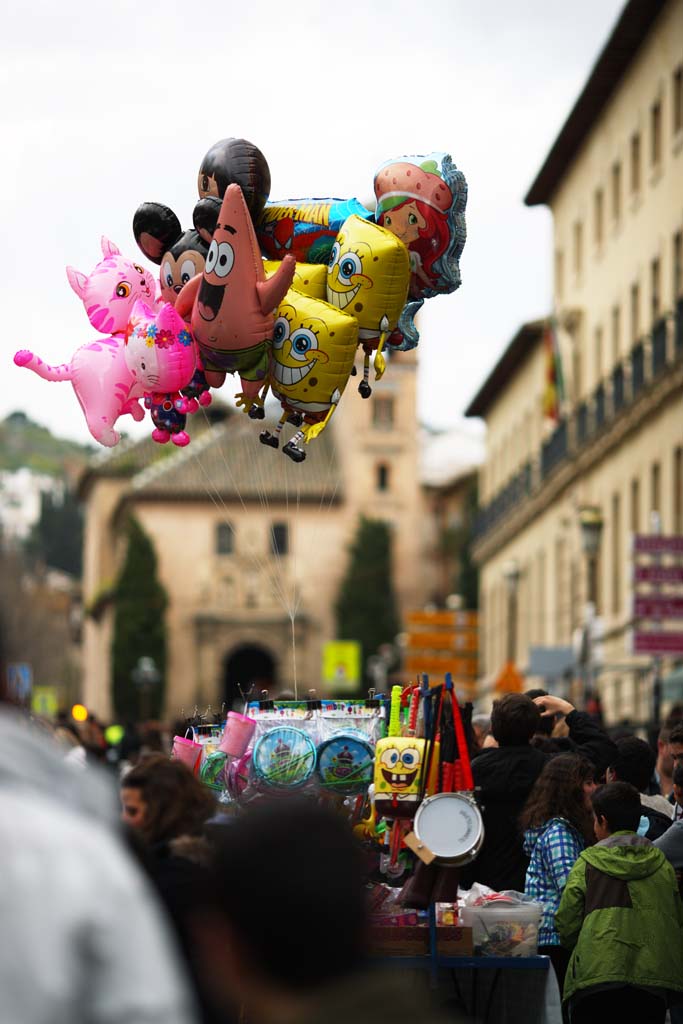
504,778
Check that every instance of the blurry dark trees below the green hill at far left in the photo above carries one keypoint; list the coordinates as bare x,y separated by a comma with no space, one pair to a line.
57,540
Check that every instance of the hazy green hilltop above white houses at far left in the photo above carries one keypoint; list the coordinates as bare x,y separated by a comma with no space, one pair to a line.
24,443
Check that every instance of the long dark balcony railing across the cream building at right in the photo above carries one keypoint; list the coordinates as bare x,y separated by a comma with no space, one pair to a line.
646,363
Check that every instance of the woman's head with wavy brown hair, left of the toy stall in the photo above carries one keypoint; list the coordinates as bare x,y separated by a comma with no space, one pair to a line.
163,800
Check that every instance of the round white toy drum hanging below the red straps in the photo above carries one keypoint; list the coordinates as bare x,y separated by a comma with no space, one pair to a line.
450,825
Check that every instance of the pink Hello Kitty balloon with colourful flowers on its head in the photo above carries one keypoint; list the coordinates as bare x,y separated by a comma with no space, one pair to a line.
161,356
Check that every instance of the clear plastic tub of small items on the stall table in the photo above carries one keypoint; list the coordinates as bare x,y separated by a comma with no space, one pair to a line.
504,929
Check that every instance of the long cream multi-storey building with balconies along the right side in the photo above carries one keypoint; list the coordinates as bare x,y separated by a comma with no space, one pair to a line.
614,182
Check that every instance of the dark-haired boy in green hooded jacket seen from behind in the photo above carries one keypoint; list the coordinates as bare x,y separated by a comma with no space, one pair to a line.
622,915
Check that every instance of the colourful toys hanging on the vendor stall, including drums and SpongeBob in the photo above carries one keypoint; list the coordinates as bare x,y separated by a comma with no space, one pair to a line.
399,769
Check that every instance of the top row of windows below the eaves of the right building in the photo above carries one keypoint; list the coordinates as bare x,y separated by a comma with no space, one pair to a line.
611,201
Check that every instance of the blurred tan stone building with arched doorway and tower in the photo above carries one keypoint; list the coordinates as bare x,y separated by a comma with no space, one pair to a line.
251,547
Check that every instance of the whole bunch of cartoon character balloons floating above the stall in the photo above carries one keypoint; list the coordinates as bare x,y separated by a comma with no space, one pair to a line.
282,294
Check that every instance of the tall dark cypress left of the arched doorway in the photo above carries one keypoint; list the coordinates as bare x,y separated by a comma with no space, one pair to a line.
140,629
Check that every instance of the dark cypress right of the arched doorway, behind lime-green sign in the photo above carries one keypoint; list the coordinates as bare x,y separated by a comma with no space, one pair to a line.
366,608
